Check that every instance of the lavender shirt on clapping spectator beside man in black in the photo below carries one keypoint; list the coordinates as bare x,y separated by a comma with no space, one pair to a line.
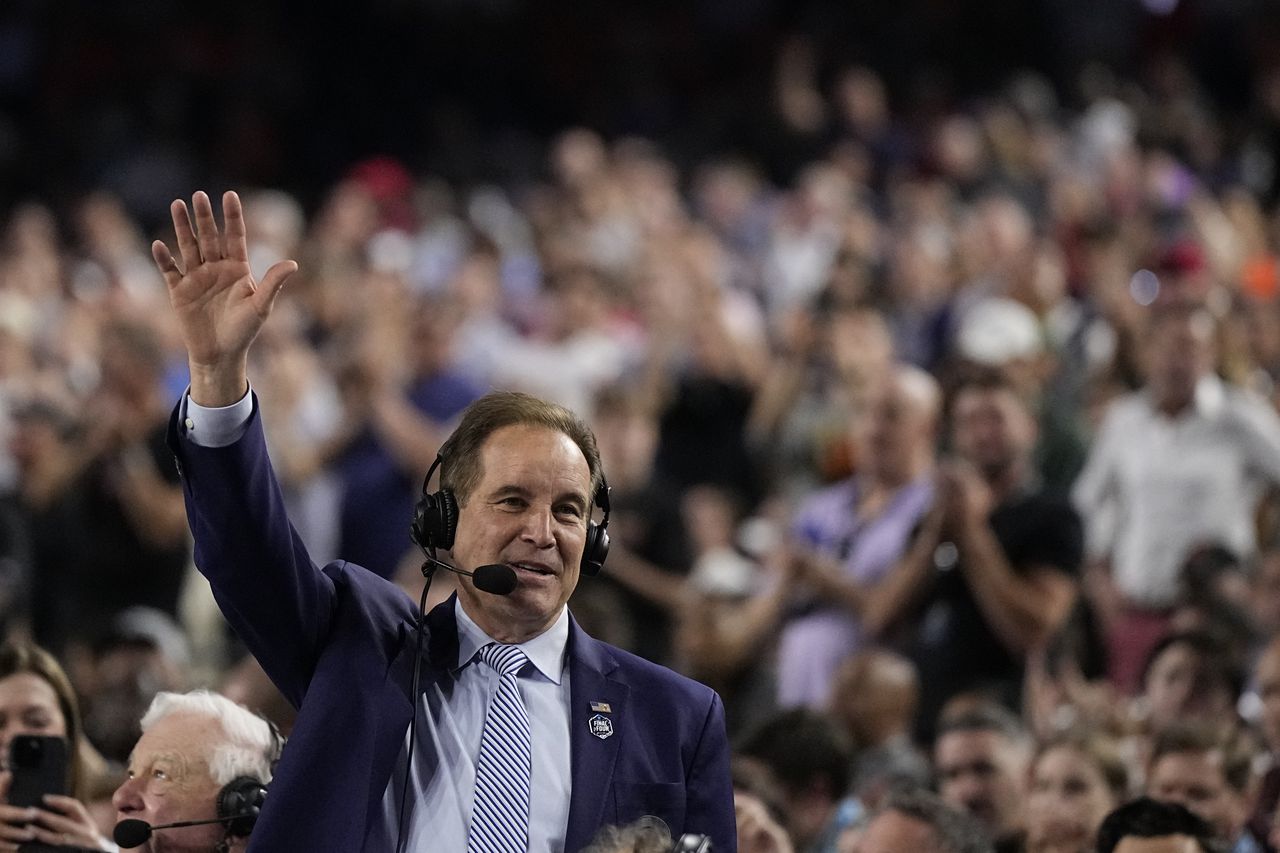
815,644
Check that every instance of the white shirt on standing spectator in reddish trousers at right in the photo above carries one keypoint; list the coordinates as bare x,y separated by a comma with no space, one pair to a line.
1155,486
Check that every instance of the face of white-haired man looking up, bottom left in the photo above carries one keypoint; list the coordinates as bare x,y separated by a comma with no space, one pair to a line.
170,781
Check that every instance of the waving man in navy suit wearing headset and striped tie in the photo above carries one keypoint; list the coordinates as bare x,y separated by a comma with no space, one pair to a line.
612,738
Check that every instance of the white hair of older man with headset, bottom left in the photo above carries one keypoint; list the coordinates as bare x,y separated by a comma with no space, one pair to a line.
250,746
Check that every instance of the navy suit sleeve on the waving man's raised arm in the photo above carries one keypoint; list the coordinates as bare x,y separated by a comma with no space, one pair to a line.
273,595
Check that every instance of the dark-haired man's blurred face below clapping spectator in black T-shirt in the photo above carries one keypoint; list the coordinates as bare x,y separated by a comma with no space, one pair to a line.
984,773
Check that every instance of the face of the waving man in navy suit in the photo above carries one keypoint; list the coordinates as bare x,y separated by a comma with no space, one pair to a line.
531,512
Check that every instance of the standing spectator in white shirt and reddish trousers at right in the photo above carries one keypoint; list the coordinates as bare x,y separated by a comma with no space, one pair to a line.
1180,463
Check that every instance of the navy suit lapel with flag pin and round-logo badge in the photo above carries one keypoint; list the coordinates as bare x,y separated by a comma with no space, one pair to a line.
596,735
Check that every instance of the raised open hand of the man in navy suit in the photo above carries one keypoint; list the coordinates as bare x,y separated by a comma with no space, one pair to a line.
220,305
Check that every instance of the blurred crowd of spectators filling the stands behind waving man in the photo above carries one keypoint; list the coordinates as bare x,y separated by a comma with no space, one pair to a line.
952,463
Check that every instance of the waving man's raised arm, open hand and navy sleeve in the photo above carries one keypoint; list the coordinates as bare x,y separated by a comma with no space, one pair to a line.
262,576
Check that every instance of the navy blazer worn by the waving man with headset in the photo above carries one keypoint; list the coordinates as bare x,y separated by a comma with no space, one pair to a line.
339,642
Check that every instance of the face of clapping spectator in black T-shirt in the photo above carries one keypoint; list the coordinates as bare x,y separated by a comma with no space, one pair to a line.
993,430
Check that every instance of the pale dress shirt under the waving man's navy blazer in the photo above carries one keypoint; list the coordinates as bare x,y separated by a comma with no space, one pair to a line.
451,715
